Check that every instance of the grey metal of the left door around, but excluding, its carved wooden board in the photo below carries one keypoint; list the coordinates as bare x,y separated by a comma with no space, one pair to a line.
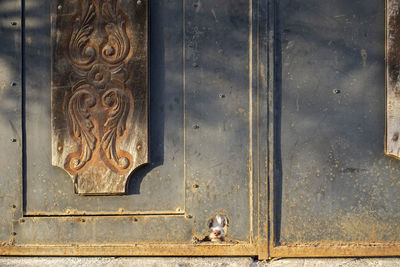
207,138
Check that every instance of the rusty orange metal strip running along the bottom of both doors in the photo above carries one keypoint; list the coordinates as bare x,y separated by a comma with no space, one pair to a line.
326,250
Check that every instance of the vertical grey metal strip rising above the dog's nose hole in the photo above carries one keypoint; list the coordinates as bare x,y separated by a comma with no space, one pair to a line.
219,113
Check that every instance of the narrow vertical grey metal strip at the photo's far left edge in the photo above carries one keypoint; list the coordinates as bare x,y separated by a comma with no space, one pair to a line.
11,136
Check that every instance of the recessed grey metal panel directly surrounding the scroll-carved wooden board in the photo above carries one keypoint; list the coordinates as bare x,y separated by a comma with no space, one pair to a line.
49,190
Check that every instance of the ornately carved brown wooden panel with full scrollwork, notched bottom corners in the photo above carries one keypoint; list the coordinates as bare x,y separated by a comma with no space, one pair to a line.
100,92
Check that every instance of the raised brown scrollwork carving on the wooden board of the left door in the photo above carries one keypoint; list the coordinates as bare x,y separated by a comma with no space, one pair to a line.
101,112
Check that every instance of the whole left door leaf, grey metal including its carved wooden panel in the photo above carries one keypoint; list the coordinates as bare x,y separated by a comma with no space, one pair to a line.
206,137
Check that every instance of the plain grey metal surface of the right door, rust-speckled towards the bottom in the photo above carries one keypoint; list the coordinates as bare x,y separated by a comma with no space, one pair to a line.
332,183
